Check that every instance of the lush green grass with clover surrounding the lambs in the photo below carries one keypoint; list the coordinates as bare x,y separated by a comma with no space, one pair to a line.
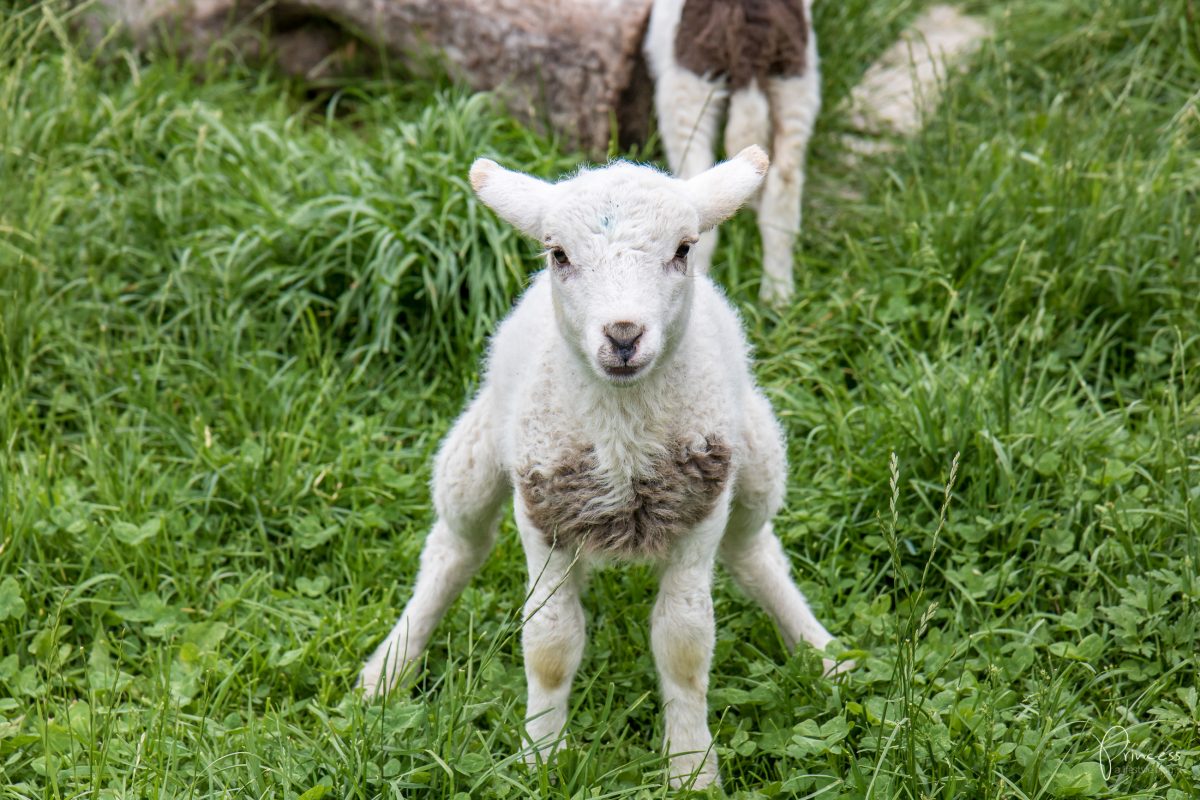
235,323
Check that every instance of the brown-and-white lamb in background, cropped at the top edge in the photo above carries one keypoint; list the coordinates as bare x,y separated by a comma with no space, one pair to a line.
759,61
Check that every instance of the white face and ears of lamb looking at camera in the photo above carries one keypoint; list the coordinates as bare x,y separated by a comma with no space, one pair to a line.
617,246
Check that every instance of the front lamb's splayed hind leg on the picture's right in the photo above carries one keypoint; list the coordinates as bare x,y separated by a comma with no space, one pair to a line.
751,550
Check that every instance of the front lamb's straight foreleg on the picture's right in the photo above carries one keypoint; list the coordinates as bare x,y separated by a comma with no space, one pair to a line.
682,637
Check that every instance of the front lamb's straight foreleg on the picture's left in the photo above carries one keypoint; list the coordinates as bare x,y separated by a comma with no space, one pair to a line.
553,637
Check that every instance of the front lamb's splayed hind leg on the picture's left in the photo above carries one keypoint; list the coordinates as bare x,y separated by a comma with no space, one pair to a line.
469,489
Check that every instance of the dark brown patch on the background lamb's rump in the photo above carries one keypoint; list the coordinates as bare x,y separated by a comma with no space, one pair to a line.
743,40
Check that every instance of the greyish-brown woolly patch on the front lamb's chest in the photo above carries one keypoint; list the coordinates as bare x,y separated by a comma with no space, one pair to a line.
680,492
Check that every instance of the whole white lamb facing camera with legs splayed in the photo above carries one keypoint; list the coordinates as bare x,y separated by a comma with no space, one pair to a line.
620,412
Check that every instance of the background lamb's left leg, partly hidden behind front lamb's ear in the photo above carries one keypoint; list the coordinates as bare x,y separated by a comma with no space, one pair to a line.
689,111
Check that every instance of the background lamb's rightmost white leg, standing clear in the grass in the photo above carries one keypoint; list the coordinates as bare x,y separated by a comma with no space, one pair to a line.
795,104
